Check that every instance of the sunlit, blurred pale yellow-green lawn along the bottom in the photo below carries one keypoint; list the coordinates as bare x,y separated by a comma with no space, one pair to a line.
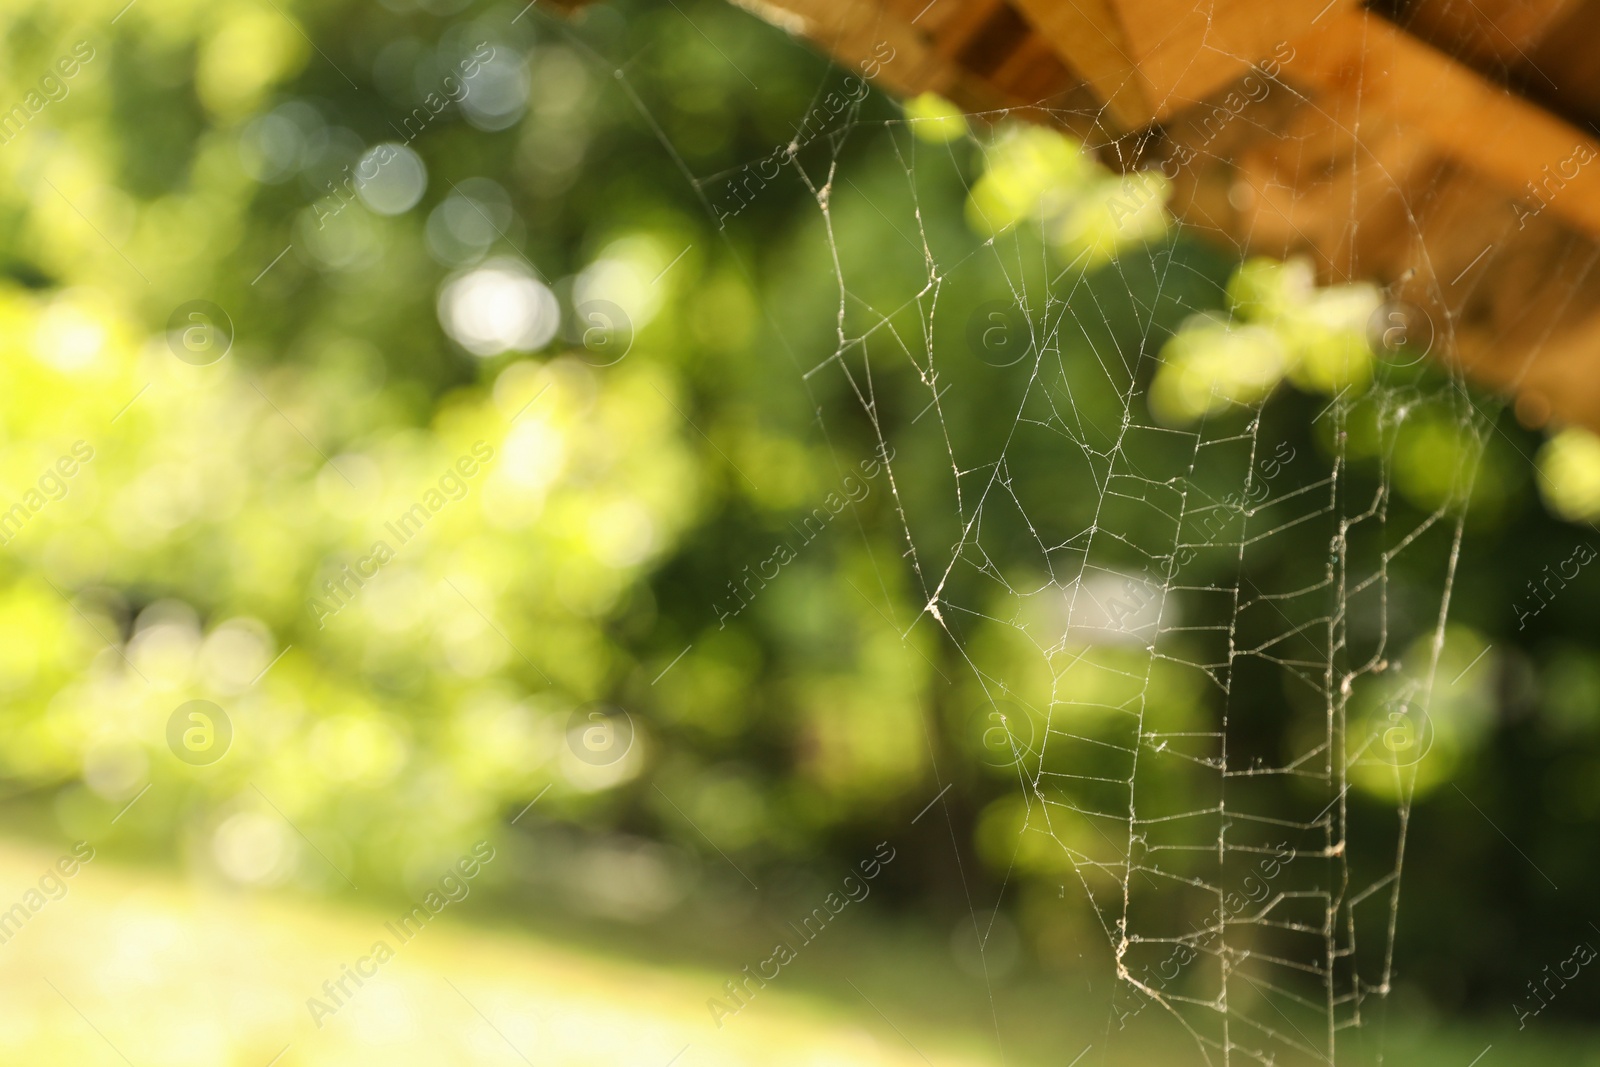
138,967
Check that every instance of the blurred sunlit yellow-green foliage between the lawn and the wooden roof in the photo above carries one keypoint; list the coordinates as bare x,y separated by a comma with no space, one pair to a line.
593,553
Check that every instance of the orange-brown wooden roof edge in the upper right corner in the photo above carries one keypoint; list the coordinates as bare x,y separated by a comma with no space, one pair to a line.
1441,148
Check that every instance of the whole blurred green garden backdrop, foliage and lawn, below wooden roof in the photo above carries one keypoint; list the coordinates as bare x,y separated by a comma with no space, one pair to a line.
622,484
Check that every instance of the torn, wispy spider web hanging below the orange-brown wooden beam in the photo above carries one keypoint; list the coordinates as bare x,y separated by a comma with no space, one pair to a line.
1215,609
